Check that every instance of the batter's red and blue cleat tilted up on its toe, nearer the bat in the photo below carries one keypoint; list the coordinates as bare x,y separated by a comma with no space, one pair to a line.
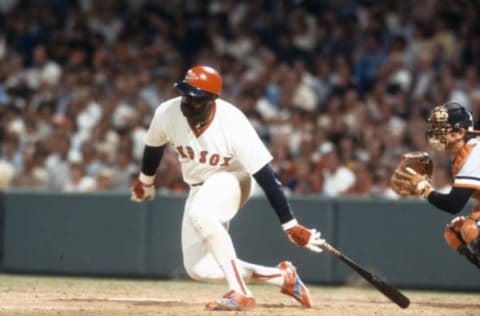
293,285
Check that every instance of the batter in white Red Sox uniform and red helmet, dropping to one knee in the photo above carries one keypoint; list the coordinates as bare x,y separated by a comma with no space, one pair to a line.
220,153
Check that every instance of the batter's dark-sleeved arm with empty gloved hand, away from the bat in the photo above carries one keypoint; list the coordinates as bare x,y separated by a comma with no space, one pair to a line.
144,187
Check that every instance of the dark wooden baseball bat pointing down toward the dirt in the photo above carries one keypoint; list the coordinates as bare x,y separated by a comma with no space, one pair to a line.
386,289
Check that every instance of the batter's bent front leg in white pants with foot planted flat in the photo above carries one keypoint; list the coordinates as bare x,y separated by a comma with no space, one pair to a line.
204,237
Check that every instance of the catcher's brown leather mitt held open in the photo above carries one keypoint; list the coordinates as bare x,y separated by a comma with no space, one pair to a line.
413,175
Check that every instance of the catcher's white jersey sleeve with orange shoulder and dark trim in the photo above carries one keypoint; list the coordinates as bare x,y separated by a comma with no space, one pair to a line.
466,167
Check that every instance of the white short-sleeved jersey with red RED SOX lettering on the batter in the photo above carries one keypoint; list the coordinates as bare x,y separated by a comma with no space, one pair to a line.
227,143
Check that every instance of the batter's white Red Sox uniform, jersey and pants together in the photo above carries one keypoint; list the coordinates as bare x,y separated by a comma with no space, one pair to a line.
227,143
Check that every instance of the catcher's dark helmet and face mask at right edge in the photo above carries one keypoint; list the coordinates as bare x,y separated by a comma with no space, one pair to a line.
445,118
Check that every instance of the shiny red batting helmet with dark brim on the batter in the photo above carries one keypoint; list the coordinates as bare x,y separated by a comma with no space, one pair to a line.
201,81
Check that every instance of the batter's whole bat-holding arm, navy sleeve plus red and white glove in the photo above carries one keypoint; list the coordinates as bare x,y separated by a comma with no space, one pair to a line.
297,233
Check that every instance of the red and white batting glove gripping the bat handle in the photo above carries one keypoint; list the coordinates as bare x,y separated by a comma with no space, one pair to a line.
303,237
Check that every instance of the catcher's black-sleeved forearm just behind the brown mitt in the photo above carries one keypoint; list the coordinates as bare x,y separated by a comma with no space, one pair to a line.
453,202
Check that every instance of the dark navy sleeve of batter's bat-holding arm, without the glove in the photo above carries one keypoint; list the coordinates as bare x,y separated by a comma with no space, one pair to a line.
267,180
